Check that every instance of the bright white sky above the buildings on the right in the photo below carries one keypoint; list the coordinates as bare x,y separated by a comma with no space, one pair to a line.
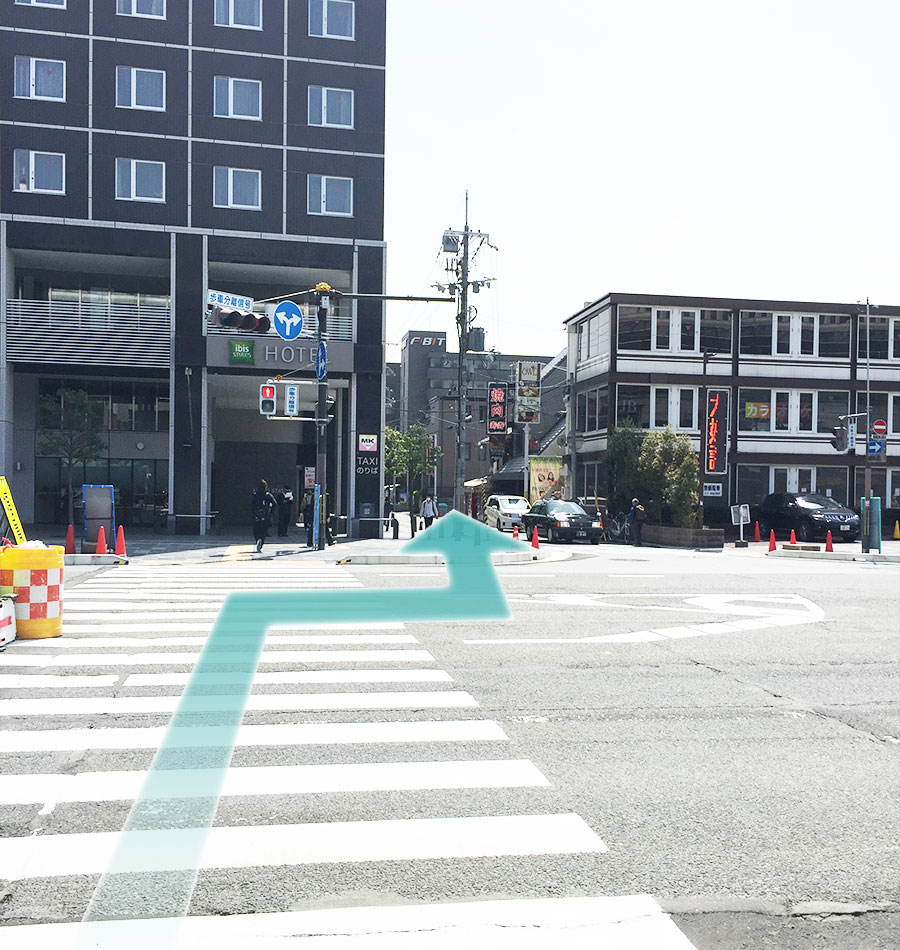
709,147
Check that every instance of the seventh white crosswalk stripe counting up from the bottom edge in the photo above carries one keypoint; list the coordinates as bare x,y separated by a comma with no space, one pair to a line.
190,658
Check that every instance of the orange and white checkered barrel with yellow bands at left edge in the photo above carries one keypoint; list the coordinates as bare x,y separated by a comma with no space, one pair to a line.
35,576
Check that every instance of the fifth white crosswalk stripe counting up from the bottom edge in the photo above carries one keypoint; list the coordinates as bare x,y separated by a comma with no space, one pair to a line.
129,705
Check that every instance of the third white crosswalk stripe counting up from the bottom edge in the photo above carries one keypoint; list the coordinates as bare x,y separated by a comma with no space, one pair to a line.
275,780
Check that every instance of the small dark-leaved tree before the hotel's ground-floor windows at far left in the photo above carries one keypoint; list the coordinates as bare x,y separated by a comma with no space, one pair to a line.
72,430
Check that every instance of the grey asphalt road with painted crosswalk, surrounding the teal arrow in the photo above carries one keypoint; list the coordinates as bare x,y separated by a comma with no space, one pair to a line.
719,731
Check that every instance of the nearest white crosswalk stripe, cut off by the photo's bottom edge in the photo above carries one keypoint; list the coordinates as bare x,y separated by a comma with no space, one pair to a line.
636,922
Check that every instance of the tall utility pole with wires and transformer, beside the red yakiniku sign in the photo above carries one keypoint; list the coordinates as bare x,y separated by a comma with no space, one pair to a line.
460,268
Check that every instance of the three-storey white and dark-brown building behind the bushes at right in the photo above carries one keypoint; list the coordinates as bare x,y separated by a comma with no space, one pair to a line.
790,369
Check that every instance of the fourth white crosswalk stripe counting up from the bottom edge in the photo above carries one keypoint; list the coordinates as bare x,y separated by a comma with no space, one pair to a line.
288,734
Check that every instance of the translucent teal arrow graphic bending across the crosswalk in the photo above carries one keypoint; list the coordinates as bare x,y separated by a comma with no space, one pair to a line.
153,874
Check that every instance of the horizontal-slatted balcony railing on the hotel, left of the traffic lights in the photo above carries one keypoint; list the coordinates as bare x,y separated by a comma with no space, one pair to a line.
43,331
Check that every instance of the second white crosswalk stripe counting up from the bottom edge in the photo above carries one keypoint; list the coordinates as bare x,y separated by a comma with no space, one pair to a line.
403,839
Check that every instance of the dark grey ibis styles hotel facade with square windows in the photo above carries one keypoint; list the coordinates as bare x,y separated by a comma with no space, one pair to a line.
155,150
